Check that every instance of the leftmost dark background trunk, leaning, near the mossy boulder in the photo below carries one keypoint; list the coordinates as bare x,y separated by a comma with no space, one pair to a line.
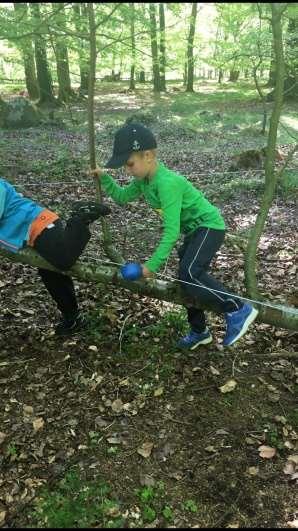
28,54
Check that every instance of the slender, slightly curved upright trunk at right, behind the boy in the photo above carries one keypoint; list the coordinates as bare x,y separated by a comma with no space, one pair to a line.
270,174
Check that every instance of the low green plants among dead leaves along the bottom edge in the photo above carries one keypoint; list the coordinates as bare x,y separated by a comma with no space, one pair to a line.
77,502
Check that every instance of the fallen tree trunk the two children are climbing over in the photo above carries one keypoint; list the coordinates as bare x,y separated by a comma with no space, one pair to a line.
277,315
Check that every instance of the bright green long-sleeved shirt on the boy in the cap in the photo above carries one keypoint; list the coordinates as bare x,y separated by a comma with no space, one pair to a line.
182,207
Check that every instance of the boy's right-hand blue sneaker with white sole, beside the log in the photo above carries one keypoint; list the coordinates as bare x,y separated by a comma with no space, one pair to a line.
238,323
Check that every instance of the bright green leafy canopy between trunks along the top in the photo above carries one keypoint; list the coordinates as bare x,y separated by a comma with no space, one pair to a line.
228,36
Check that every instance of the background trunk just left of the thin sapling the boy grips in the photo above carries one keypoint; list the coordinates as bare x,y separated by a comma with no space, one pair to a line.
81,22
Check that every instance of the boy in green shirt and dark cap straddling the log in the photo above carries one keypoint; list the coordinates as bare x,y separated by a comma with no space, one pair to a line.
183,209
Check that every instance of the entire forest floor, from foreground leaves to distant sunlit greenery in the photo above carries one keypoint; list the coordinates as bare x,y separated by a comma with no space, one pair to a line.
114,427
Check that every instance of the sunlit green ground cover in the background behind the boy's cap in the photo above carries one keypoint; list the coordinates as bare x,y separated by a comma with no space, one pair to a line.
213,117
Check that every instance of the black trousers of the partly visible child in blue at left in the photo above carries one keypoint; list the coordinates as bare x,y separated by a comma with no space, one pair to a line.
61,247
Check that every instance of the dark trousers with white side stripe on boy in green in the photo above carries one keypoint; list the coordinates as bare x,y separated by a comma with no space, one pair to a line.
195,256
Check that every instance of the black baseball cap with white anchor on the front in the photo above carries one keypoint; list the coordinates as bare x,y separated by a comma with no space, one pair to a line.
129,139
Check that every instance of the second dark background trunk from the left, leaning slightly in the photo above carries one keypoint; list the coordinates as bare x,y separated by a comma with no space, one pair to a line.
43,72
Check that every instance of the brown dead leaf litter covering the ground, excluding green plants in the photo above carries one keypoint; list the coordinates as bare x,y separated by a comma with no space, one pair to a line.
59,399
